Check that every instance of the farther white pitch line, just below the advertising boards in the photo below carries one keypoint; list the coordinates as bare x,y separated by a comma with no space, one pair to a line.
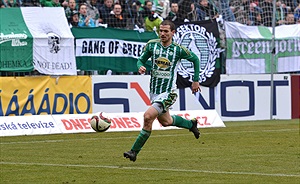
133,137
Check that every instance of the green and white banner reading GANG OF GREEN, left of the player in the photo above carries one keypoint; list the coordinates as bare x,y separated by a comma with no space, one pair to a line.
104,49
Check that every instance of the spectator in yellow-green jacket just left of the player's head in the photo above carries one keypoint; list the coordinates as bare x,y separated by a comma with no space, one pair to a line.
153,21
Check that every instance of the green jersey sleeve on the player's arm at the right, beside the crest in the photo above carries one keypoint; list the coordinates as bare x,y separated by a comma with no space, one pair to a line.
192,57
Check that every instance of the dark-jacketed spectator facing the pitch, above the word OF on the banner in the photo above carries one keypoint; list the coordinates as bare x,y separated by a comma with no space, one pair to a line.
116,19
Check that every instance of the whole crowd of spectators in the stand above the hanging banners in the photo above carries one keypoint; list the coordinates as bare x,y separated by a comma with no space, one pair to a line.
147,14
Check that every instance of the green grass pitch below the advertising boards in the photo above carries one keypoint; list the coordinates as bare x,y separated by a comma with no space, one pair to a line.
243,152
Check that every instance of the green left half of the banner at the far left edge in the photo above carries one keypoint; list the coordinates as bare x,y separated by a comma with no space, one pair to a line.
15,42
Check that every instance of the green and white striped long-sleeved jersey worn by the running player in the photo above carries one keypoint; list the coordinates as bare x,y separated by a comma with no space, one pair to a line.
165,61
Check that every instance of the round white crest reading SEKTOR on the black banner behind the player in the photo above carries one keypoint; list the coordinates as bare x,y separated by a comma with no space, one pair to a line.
204,44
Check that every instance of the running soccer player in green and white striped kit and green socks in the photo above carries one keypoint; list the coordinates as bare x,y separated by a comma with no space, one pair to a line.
166,56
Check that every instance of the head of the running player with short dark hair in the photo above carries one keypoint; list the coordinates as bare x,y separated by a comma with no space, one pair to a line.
166,31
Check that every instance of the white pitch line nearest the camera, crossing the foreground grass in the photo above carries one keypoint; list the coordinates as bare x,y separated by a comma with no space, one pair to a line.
152,169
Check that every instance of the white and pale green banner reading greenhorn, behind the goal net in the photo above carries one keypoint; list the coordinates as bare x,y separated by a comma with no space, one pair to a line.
250,49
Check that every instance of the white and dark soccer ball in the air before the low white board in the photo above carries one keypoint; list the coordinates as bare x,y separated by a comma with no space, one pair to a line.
100,123
